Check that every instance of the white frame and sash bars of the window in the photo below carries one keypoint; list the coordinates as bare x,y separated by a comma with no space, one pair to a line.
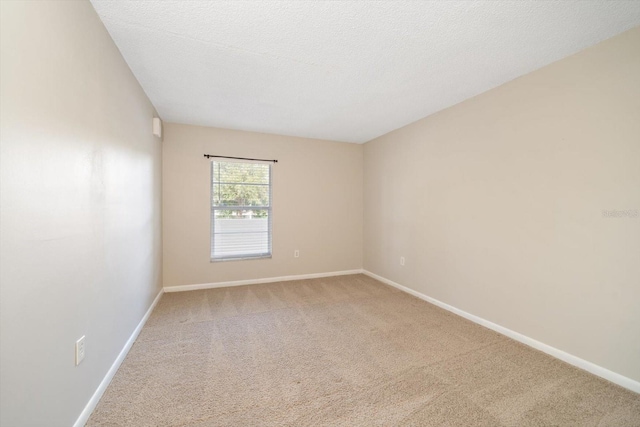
213,208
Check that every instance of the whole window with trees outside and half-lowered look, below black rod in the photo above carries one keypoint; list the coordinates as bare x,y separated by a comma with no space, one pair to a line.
240,210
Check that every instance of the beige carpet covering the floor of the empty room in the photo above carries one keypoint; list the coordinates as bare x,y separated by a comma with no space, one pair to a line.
342,351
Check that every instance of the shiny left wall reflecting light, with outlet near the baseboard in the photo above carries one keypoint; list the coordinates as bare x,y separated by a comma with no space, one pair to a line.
80,205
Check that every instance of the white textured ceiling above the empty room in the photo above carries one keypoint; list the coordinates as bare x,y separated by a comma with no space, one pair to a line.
342,70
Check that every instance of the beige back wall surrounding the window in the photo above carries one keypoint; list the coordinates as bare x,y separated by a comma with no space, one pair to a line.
317,204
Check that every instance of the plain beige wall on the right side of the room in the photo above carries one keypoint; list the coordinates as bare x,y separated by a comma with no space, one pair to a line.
497,204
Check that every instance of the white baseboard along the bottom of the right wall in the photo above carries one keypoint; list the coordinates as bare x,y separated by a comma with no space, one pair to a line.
615,378
